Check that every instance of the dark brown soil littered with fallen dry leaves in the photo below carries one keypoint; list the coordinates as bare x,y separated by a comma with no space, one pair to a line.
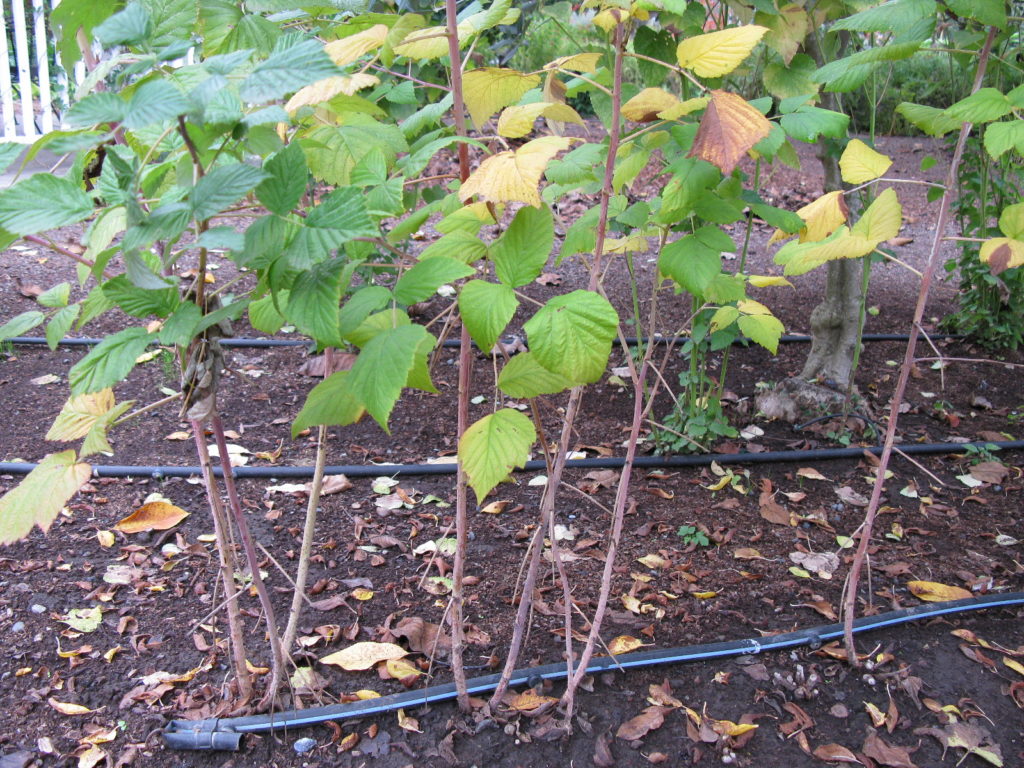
933,528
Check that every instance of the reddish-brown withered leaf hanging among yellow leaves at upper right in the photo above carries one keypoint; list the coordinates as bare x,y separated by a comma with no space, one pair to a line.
729,130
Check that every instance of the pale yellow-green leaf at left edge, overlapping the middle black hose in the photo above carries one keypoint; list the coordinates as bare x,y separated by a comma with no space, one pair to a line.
41,496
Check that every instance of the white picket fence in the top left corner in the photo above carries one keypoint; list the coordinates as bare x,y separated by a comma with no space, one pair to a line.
33,84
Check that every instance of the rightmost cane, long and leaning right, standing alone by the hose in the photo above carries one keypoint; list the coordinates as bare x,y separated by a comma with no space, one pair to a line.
850,599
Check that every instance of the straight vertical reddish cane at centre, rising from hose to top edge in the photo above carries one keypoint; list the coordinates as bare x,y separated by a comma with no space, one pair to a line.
465,382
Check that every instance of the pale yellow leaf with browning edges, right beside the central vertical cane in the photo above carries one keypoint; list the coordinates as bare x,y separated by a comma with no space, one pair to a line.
515,176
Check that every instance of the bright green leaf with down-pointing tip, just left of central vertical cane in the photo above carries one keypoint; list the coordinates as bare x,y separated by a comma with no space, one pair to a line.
383,367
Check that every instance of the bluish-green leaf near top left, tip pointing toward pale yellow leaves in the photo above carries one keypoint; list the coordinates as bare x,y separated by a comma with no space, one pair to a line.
295,62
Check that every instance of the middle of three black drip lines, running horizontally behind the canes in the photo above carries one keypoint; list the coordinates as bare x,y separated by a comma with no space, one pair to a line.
612,462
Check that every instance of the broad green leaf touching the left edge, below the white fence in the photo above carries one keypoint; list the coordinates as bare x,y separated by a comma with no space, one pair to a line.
42,202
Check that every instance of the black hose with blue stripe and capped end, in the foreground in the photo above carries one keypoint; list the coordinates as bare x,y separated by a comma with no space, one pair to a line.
227,734
